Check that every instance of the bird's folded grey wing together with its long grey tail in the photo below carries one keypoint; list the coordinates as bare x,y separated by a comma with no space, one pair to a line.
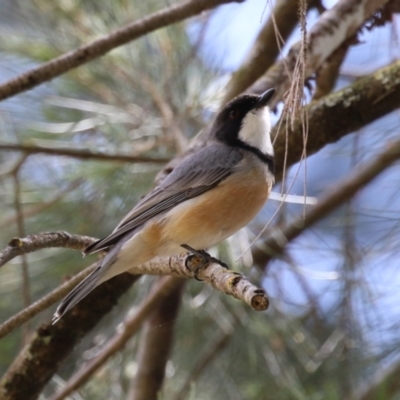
199,173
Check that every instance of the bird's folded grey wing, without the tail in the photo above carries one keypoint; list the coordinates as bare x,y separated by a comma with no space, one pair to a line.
194,176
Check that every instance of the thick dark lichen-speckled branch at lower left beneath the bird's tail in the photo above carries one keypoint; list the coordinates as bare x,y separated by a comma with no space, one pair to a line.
41,358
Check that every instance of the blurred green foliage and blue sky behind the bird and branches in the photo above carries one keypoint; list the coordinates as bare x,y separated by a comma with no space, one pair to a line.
332,330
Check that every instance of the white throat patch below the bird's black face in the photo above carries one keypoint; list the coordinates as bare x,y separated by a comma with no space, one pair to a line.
255,130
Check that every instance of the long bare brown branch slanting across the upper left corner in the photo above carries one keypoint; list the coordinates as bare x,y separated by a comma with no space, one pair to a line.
103,45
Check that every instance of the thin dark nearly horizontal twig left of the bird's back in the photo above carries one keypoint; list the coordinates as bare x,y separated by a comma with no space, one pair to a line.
80,154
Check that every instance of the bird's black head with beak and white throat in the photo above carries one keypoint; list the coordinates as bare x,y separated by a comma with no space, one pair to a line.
245,122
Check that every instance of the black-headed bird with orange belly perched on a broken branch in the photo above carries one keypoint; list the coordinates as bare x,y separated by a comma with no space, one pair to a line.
205,199
